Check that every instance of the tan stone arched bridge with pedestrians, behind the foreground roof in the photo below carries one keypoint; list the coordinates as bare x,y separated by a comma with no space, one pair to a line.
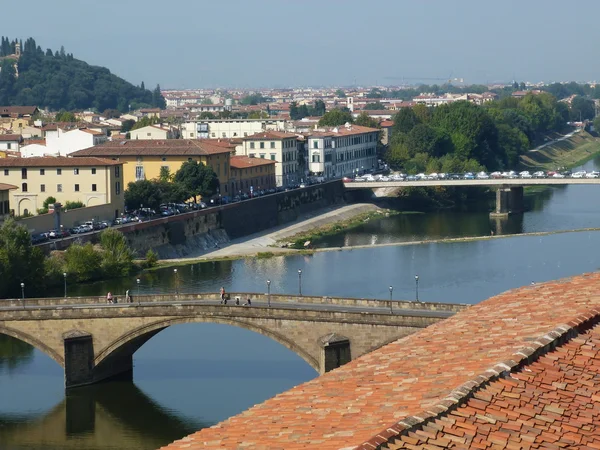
94,341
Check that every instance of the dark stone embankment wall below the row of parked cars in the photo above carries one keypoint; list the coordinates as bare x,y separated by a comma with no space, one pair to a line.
183,234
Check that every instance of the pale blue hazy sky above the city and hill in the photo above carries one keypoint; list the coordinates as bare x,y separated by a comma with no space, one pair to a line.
281,43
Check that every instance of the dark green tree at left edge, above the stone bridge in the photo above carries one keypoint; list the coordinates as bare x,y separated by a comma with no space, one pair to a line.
20,262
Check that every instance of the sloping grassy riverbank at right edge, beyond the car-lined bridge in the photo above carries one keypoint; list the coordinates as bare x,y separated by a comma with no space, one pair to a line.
571,152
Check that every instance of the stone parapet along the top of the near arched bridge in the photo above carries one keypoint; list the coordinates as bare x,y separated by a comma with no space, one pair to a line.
276,299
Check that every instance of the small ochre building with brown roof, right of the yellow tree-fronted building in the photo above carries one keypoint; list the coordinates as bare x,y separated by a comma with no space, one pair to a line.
251,174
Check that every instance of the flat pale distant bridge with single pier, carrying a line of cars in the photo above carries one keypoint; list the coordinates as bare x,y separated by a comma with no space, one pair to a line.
509,195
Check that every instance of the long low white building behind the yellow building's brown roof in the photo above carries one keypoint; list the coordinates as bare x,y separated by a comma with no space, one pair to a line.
229,128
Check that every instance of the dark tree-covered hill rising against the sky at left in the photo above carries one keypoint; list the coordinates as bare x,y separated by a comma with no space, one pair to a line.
30,76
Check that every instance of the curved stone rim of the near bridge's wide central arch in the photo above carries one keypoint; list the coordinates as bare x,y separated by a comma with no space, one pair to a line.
139,336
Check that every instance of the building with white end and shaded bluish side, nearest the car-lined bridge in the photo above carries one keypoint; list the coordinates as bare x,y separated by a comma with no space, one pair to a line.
342,151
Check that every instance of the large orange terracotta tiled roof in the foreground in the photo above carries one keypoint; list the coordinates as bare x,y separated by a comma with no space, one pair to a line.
485,358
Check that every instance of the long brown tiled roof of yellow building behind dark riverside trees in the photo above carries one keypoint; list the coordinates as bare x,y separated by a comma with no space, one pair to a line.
159,147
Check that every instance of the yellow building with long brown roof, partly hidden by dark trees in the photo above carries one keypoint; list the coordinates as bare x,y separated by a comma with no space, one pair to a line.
143,159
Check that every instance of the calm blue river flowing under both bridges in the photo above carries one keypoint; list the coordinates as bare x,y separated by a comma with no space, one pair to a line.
194,375
